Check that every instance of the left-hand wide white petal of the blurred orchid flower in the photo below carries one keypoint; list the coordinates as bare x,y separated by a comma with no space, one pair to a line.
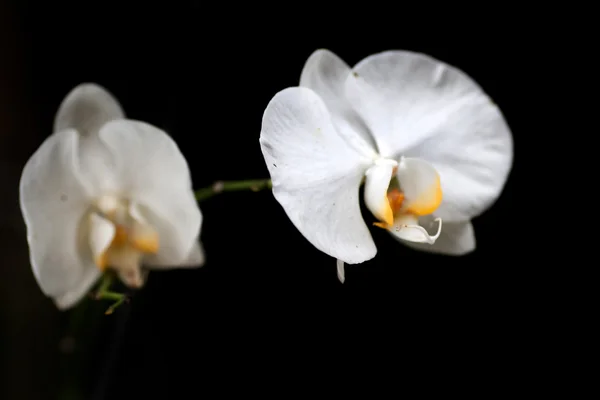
53,204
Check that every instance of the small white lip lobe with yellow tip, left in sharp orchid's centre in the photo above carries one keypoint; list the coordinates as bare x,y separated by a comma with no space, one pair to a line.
376,186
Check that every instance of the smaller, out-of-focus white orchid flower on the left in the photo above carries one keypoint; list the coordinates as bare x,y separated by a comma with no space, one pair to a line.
106,192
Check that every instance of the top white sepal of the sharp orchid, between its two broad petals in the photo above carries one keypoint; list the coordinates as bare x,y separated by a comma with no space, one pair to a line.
325,73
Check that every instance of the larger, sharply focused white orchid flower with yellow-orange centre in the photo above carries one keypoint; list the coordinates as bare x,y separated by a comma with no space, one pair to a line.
396,114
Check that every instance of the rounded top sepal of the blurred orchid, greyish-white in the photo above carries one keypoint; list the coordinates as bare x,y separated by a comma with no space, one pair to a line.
86,108
